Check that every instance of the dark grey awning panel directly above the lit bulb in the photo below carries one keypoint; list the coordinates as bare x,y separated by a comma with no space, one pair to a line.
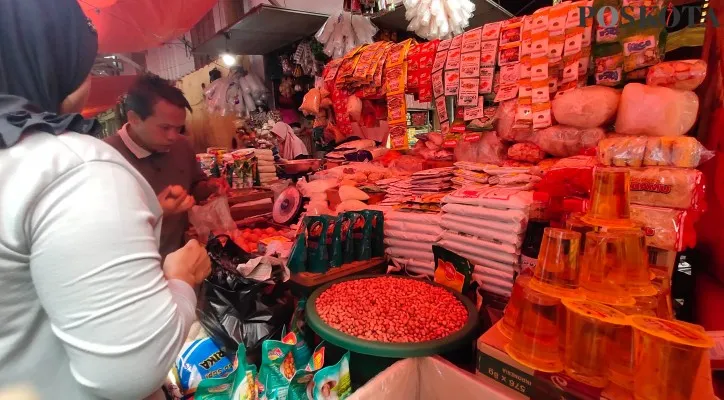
263,30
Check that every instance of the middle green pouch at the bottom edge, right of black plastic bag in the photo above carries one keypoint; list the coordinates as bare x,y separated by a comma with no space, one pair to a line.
277,368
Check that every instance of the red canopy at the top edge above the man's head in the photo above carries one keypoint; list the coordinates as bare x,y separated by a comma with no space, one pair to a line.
127,26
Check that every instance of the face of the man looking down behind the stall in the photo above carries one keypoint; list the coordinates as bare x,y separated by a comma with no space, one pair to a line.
162,128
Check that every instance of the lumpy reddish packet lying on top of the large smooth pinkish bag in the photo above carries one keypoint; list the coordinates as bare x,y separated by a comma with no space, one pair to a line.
682,75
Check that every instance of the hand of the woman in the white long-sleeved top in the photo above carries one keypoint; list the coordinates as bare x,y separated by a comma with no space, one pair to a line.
190,264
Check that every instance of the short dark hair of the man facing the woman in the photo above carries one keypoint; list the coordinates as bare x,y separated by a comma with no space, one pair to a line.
148,90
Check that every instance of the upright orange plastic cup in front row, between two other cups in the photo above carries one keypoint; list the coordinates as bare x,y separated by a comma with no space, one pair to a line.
590,327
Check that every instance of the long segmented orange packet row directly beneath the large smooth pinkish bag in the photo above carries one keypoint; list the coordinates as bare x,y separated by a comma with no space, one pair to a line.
637,151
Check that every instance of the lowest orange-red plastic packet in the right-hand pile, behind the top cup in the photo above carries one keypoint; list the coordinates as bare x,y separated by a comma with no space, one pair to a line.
666,228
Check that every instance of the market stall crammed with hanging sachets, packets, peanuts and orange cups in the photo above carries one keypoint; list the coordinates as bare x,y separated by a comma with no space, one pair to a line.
541,219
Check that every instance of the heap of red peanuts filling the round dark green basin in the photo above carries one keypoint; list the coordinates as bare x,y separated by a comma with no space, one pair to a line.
389,309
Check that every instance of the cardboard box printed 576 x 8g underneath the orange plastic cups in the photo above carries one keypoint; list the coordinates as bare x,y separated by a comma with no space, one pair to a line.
521,382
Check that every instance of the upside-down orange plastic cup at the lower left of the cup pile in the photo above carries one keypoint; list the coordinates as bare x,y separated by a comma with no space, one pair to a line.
536,338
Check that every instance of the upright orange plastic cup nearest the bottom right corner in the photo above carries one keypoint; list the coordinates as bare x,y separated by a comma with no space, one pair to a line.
667,355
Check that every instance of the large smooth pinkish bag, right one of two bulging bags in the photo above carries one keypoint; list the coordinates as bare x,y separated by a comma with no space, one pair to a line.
656,111
